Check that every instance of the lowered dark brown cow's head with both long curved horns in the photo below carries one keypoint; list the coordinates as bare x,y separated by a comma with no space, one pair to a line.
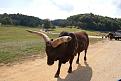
52,46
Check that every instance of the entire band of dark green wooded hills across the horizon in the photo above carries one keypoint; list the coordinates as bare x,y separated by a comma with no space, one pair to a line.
84,21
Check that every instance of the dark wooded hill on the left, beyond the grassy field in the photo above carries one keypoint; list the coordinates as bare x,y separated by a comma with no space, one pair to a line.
20,19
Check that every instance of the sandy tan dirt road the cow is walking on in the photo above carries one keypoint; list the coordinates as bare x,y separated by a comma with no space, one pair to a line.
103,64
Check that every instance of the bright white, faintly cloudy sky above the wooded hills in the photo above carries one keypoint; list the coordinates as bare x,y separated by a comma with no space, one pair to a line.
61,9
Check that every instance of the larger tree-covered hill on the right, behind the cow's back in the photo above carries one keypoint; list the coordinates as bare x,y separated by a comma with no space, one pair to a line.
91,22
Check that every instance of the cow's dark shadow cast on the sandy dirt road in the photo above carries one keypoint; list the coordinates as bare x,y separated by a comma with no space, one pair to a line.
82,73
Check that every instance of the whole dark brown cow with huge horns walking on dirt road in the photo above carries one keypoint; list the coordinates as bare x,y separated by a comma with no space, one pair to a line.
64,48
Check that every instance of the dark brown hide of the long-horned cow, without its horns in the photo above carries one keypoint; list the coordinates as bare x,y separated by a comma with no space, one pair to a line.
66,51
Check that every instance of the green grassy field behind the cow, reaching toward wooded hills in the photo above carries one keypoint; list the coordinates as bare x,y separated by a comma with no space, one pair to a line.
17,44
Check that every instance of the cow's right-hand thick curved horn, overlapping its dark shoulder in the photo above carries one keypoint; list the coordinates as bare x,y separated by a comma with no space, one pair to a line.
60,40
